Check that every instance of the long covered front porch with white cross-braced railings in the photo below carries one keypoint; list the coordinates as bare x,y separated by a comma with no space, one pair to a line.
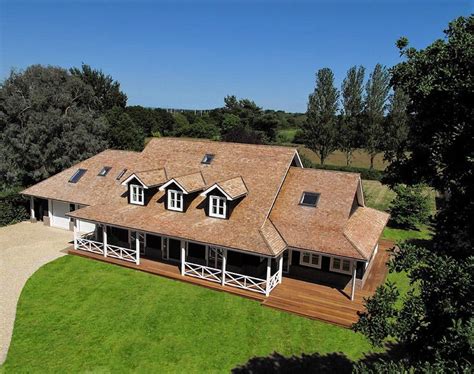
221,266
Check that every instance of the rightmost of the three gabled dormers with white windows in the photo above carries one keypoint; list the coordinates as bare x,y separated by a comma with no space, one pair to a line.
222,197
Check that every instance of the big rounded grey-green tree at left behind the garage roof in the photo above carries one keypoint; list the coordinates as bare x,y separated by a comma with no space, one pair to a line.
47,123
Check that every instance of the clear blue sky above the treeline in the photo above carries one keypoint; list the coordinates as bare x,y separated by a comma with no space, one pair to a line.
190,54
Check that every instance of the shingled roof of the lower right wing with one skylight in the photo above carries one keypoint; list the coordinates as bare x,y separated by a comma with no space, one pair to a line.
323,228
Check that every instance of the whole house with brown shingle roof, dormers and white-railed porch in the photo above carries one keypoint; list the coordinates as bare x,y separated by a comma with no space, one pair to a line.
239,215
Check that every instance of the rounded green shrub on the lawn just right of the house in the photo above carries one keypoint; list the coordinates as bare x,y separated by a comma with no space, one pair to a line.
410,208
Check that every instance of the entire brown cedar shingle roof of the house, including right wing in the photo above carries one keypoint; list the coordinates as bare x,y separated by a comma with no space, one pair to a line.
267,220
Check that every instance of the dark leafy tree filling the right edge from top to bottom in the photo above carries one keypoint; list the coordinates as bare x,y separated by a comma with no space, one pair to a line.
435,322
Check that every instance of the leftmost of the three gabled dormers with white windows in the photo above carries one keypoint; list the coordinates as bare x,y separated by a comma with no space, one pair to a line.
142,185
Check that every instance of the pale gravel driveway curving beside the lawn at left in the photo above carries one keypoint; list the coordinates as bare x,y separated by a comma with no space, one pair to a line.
24,248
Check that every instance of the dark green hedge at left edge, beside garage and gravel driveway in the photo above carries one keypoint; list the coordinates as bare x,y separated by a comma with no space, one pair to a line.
13,207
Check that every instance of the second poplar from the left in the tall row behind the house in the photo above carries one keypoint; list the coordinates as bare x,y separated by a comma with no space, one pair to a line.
352,109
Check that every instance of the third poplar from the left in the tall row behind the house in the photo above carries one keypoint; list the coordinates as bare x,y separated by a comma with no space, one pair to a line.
377,90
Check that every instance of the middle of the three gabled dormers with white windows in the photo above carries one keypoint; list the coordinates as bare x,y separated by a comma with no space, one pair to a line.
180,191
